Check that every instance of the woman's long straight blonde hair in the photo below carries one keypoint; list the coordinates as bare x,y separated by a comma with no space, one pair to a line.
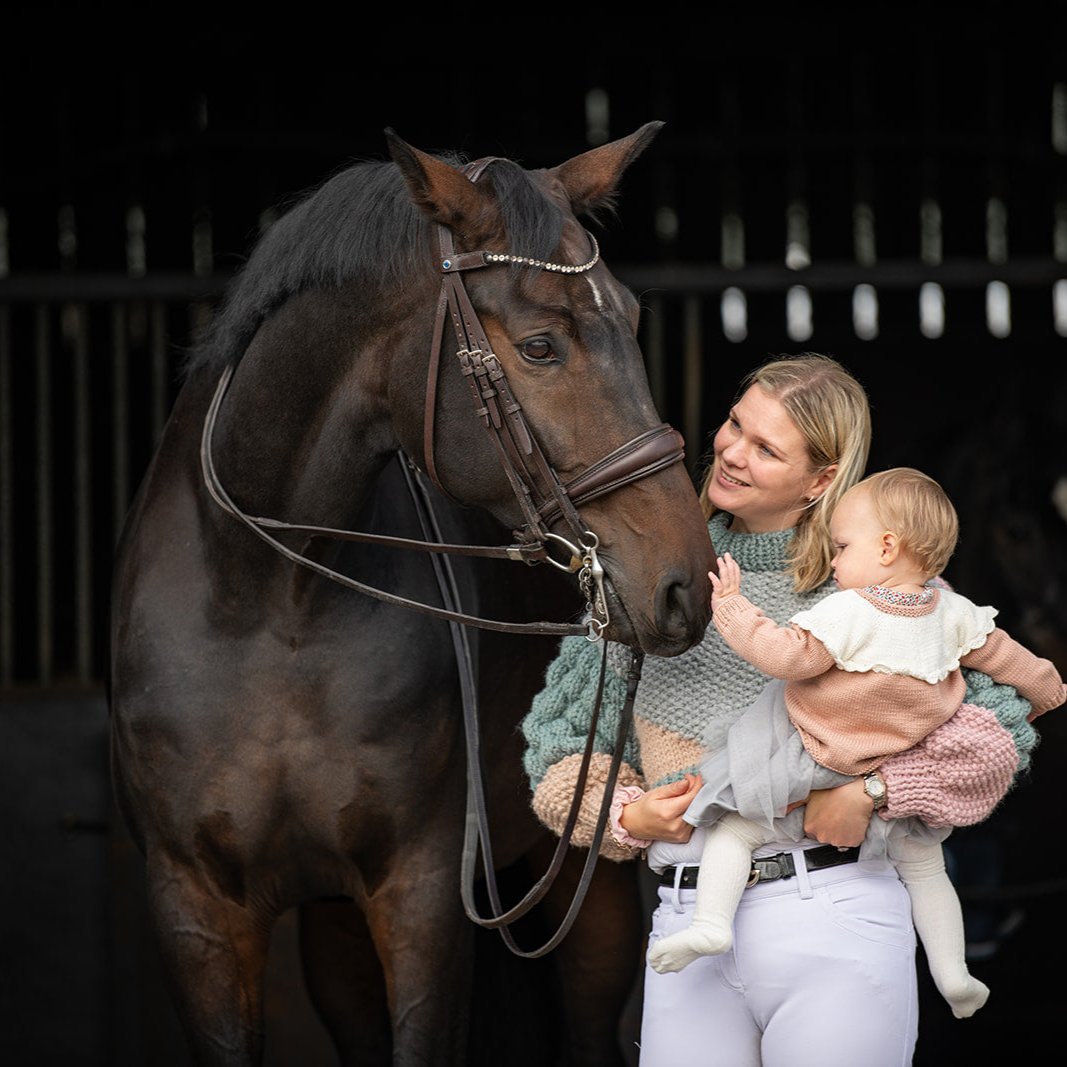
831,409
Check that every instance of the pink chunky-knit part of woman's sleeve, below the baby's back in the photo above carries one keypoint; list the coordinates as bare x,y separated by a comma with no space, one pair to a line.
979,761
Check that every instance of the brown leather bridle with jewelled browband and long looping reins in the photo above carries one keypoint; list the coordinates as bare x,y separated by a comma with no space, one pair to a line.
544,499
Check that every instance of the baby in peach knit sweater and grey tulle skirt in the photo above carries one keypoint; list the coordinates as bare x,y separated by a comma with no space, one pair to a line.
868,673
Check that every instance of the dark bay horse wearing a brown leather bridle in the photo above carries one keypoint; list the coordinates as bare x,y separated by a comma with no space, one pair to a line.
280,741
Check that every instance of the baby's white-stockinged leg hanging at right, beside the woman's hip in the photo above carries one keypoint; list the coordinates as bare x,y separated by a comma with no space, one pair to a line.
939,922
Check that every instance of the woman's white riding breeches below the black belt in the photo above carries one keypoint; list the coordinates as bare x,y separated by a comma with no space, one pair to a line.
822,974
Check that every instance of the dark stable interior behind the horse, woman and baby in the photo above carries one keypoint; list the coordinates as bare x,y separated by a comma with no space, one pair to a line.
139,160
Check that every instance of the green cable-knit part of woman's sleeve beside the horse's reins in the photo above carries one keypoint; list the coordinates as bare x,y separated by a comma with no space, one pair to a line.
558,725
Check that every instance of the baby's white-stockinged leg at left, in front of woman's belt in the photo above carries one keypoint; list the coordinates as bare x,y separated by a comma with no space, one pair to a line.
725,867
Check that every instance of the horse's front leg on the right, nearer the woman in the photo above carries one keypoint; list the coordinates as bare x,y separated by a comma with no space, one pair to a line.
426,947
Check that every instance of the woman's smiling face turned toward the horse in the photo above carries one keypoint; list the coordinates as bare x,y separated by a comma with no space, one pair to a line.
762,473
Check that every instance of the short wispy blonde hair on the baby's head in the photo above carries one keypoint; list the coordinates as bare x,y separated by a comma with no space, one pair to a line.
918,511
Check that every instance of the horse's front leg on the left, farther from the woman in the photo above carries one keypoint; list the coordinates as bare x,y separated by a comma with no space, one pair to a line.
215,955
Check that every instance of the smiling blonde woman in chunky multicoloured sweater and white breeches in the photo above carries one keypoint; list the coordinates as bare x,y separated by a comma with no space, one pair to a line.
823,961
